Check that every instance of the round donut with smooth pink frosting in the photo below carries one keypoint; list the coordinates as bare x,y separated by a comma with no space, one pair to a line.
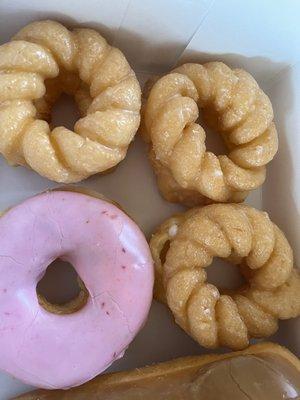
111,256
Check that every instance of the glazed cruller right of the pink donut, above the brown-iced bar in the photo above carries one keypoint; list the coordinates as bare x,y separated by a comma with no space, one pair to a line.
185,244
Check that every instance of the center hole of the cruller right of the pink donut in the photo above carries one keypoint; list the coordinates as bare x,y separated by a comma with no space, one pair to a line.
224,275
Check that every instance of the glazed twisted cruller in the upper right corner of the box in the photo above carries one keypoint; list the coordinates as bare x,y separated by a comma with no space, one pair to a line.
232,104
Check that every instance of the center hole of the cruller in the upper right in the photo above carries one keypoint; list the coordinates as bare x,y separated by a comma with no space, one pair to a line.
213,141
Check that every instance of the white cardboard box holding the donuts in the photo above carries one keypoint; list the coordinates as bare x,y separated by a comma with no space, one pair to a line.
260,36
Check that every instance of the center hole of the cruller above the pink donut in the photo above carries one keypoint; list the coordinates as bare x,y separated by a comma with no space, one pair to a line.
65,112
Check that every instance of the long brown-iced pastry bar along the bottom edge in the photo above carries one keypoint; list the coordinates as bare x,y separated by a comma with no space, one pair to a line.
262,372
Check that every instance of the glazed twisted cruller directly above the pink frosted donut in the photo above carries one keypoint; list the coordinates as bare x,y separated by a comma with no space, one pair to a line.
45,59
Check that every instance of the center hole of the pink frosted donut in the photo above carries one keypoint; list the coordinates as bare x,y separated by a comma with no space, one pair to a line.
60,290
